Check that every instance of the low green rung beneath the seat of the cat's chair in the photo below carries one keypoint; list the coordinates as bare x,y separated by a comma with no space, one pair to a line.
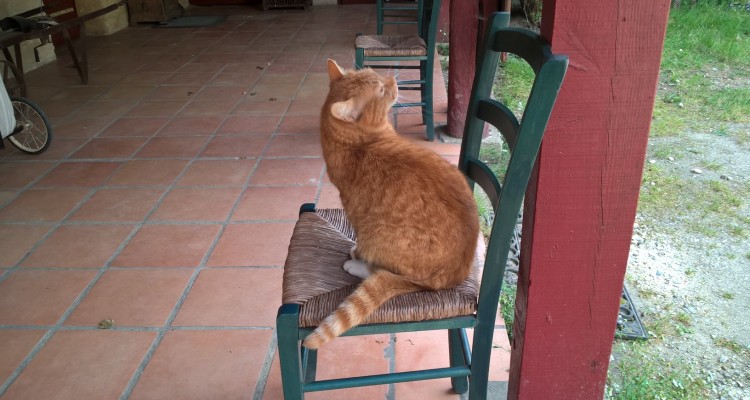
397,377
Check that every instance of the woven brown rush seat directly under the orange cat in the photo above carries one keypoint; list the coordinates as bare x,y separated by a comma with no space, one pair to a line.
314,277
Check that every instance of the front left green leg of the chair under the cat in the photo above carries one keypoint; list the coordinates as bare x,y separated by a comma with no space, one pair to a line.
289,351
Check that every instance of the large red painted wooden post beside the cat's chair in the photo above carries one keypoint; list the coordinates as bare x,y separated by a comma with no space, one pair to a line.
581,203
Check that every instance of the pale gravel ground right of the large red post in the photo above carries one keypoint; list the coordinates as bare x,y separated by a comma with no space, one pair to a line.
683,276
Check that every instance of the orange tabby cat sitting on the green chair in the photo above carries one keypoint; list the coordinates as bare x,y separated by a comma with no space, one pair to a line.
413,212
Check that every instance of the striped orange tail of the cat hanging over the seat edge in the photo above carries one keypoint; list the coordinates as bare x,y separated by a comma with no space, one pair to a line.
373,292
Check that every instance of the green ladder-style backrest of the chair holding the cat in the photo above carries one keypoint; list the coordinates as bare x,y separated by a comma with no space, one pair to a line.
523,138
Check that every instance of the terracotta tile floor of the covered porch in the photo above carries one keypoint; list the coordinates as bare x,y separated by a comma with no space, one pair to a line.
166,203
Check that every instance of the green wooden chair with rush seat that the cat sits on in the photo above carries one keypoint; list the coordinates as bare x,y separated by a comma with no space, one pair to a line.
315,282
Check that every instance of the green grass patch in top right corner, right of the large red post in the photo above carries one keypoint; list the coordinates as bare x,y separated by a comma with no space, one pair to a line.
705,43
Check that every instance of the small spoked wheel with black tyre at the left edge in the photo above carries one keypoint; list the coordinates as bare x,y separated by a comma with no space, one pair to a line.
35,134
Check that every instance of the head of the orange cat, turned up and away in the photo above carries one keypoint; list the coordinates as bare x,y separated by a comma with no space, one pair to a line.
360,95
